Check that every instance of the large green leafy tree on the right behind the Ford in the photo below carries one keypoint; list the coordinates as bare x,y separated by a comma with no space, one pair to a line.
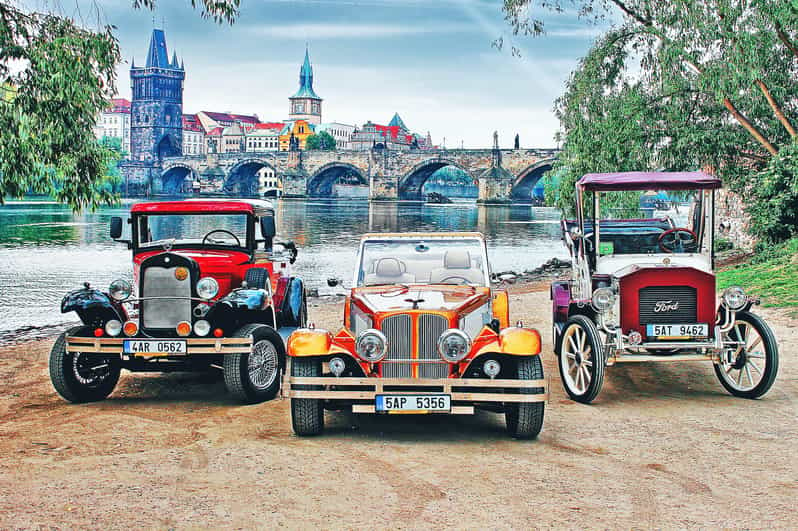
682,85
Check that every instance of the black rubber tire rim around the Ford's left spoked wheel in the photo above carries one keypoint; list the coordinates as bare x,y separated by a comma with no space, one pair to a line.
593,365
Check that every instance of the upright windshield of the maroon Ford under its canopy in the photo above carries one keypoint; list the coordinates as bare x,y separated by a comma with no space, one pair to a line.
650,222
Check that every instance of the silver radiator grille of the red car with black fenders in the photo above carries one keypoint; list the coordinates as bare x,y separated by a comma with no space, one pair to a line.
165,312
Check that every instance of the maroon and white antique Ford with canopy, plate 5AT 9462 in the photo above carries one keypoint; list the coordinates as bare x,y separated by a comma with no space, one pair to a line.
643,286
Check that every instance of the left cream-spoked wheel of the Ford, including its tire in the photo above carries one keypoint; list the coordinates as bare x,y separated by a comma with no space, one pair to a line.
581,359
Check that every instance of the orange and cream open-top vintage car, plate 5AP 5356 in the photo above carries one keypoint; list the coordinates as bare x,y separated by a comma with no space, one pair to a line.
423,333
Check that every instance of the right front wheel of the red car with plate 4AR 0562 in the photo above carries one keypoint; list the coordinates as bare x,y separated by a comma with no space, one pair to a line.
251,384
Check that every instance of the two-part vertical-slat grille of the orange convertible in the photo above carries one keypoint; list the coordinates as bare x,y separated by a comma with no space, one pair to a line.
398,330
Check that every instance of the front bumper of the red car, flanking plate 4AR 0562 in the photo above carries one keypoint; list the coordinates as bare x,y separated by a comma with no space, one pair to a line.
194,345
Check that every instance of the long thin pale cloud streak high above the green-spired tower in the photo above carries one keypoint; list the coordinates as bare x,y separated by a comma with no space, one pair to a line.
353,31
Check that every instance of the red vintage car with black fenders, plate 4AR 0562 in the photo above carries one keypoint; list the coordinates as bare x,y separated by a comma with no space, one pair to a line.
212,291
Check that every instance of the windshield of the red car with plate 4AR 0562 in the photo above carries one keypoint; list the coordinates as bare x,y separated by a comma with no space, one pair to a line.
214,229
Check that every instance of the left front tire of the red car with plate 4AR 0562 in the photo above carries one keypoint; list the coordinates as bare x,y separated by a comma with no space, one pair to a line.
66,368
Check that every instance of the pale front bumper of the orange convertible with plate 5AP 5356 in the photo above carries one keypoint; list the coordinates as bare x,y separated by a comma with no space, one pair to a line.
473,390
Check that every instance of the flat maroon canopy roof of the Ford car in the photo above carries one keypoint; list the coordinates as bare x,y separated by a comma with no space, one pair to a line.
644,180
